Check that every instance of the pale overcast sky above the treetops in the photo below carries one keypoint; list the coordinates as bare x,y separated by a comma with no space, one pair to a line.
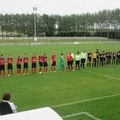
62,7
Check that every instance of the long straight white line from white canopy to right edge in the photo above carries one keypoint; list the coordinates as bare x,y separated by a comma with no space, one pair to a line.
87,100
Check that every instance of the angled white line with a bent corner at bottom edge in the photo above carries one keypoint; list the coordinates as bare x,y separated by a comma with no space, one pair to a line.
80,113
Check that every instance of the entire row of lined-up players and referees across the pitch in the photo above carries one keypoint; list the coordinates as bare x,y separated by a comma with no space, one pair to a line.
90,59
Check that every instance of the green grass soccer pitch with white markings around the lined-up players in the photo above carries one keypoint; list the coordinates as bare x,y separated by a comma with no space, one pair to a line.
89,94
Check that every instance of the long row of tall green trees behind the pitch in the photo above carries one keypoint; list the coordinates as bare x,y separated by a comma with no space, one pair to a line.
105,23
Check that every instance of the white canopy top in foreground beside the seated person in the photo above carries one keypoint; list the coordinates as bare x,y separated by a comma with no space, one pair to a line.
36,114
